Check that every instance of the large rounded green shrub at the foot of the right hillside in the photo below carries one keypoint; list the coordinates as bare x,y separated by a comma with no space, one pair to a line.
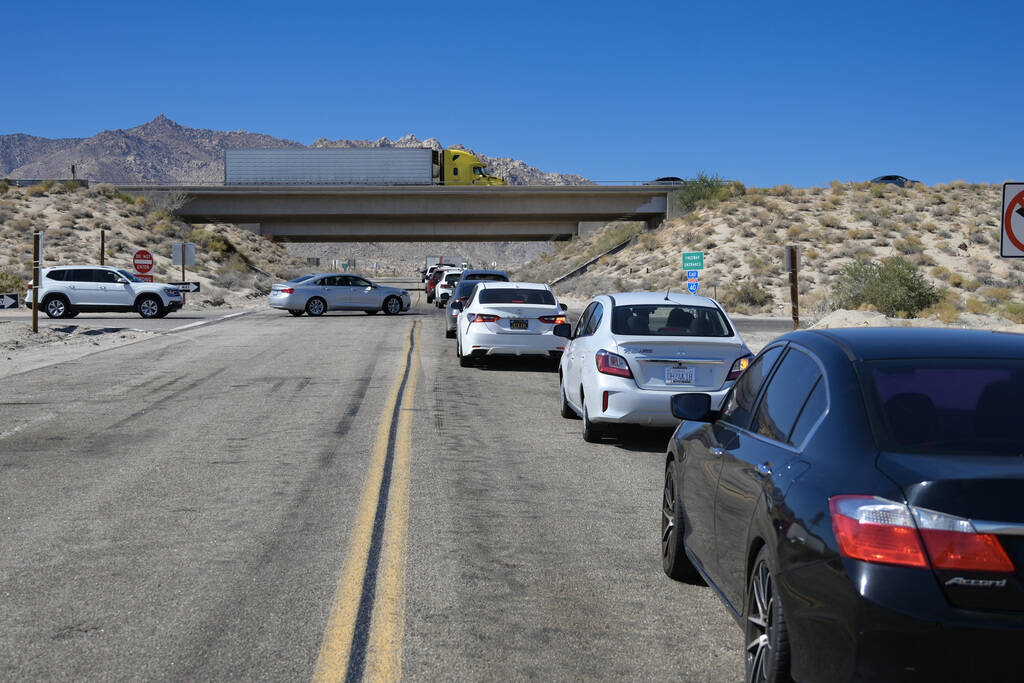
893,286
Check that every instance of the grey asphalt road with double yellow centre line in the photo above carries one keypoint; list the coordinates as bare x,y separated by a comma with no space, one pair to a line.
300,499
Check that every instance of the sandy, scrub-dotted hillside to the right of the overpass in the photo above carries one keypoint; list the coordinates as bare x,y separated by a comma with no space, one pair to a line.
951,233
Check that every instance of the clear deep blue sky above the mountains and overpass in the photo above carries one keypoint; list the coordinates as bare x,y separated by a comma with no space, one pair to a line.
765,93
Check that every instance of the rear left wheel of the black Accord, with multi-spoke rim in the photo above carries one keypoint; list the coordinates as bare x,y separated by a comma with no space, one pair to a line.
766,638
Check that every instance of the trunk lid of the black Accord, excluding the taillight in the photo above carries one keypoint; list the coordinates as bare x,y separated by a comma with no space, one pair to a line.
987,490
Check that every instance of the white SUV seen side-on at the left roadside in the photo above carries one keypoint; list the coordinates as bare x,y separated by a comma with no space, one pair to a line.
69,290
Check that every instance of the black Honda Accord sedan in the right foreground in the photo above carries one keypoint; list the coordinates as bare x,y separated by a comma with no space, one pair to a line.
858,505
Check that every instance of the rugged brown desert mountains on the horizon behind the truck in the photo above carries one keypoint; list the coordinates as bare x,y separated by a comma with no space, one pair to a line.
163,151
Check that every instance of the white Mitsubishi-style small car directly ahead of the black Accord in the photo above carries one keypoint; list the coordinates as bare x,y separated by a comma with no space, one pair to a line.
629,354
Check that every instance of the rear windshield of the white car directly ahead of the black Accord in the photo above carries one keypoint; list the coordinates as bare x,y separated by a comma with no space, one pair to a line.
670,321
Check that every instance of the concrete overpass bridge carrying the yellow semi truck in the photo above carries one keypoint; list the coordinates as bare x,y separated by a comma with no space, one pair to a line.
430,214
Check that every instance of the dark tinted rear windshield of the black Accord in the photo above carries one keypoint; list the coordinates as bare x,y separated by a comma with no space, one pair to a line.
948,406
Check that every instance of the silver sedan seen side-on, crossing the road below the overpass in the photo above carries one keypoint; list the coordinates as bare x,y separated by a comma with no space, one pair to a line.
319,293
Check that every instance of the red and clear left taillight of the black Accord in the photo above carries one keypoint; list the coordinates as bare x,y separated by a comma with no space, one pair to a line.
875,530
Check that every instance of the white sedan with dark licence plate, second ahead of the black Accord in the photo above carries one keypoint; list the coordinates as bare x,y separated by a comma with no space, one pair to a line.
509,319
